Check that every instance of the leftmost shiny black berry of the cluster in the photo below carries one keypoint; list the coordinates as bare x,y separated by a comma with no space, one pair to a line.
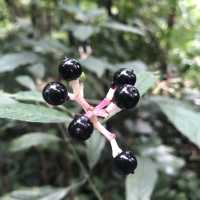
55,93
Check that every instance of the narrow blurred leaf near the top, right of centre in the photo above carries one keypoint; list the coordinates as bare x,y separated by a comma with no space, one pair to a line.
124,28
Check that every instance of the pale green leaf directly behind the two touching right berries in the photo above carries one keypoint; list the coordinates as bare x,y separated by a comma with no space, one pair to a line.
145,81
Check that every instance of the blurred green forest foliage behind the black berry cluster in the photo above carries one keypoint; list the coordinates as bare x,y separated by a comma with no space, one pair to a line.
159,39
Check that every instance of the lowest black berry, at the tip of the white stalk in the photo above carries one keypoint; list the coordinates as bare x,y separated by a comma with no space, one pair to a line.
125,163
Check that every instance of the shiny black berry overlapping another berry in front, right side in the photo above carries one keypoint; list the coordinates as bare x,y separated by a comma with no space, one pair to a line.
126,96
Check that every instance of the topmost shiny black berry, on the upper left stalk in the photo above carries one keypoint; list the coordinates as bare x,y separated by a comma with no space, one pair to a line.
70,69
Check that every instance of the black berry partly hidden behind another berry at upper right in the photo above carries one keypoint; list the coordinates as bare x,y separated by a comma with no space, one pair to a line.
124,76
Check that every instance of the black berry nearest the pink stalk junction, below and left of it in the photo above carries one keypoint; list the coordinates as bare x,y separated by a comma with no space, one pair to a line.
80,128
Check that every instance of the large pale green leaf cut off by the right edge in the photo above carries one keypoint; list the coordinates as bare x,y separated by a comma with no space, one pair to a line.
182,116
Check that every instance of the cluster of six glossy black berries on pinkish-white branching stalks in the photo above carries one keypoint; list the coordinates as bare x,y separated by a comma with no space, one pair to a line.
122,95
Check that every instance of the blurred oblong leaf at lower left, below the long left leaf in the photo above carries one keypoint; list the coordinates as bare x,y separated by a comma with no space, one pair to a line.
32,139
